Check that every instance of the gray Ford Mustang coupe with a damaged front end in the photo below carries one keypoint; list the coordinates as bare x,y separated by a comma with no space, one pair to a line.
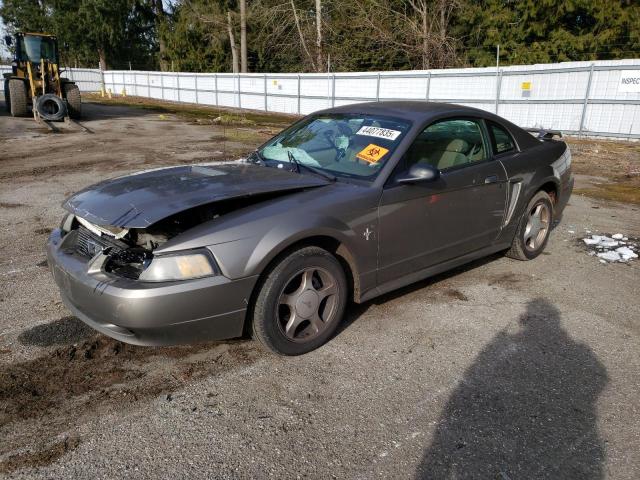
344,205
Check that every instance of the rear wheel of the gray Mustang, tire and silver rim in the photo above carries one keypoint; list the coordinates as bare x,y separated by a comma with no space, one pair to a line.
525,245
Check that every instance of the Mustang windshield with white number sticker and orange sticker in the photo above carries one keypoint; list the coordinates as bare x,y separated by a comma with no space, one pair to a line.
355,146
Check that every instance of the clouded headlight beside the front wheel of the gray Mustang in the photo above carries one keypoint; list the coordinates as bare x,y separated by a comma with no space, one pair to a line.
183,266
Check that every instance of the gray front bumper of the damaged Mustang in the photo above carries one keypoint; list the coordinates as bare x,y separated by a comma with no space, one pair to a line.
145,313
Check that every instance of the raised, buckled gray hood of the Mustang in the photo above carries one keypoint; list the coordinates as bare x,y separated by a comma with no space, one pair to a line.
142,199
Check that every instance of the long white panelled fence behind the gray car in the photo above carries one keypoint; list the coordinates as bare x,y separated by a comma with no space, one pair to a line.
590,98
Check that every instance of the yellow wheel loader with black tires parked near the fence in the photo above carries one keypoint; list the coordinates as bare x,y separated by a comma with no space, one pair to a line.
35,82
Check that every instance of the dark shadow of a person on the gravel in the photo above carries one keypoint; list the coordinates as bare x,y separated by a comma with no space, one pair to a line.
526,408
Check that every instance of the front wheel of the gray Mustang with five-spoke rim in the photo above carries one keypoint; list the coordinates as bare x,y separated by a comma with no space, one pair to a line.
268,324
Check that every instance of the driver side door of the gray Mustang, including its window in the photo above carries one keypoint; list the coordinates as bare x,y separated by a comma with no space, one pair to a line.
424,224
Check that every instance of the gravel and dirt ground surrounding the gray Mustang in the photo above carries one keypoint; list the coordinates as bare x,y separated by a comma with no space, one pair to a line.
501,369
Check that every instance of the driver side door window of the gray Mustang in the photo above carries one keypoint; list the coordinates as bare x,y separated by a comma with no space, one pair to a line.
448,144
